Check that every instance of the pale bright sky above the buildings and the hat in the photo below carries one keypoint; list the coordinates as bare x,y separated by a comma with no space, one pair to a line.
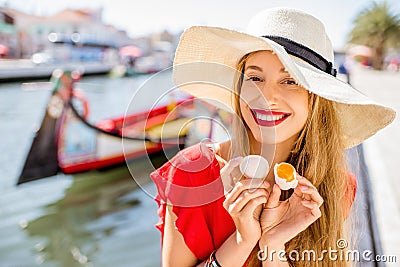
141,17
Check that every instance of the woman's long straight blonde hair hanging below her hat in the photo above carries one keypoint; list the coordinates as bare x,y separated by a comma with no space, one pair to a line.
318,155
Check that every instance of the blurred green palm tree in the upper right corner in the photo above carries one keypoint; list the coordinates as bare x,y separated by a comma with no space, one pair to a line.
379,28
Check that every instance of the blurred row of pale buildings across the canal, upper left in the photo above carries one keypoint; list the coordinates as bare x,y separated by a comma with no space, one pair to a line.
72,35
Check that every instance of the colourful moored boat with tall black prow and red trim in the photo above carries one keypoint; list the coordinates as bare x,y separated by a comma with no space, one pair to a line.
67,142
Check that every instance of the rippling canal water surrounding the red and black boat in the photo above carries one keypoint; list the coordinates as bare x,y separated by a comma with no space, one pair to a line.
98,218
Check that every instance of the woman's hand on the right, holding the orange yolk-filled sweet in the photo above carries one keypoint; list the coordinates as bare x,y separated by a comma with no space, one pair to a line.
282,220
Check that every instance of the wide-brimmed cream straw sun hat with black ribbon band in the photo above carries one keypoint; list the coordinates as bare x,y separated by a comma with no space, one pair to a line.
206,58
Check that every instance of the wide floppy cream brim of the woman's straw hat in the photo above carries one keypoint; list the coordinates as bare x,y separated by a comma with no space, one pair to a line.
360,117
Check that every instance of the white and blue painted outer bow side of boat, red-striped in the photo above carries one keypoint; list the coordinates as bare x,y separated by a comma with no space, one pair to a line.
80,148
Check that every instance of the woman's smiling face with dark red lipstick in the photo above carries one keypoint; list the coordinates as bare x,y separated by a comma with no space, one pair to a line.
273,106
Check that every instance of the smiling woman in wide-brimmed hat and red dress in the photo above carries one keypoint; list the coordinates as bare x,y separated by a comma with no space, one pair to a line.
288,107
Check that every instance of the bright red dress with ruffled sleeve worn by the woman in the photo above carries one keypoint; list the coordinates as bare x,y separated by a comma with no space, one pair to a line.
190,181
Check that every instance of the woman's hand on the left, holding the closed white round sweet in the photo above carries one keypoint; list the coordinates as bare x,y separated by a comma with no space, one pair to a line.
244,204
